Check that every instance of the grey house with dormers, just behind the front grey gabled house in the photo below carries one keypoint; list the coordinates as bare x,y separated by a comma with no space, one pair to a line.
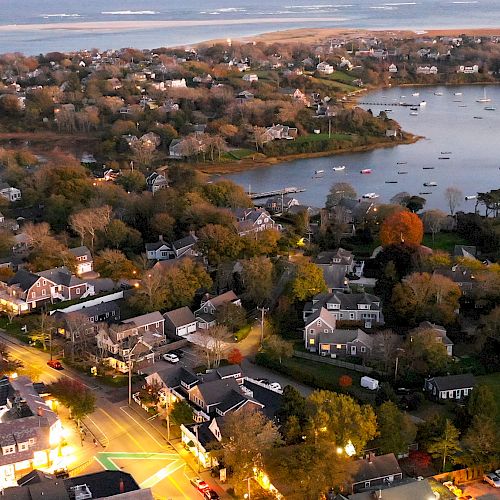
350,307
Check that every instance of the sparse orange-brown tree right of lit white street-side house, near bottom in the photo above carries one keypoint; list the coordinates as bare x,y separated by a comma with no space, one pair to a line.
247,435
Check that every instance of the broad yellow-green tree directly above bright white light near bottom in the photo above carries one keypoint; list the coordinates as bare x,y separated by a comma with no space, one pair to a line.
339,420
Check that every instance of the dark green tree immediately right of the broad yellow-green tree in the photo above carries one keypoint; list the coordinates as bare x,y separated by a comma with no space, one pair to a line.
397,431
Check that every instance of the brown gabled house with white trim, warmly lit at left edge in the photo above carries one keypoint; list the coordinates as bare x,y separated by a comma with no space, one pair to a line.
26,291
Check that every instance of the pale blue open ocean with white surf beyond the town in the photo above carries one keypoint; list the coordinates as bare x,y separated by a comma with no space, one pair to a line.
418,14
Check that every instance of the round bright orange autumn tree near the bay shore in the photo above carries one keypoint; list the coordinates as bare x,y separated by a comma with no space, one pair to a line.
402,227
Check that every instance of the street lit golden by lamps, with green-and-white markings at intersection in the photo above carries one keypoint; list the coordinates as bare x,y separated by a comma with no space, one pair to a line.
125,438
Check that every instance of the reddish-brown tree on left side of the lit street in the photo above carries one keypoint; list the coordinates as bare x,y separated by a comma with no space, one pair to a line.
78,398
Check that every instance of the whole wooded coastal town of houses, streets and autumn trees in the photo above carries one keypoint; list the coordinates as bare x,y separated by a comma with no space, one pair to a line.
167,333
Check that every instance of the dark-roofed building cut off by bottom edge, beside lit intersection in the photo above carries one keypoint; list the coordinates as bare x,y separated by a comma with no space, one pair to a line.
106,484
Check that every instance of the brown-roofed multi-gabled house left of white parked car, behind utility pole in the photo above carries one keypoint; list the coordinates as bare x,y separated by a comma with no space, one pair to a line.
136,338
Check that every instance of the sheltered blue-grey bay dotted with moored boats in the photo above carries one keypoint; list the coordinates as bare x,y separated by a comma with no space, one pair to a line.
447,126
